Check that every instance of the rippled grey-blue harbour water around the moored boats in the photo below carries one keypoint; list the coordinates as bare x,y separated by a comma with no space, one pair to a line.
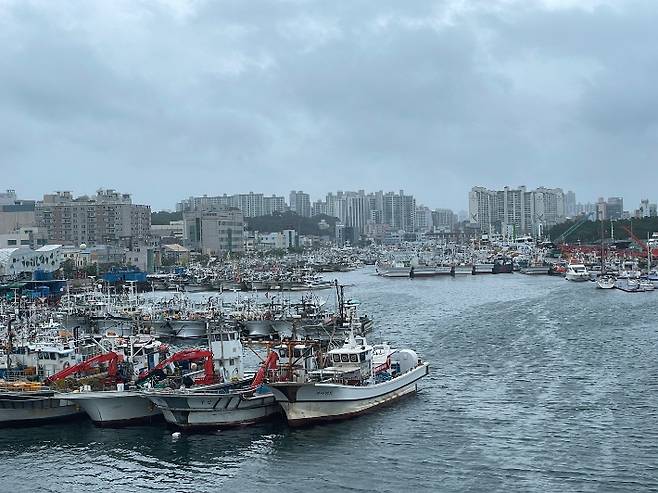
536,384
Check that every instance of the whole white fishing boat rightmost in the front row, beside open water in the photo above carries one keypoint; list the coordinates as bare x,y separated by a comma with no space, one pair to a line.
361,377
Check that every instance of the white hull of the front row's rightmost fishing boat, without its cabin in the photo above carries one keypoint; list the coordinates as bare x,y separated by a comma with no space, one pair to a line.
308,403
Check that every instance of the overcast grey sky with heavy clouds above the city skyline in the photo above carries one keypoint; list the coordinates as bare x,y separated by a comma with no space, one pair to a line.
166,99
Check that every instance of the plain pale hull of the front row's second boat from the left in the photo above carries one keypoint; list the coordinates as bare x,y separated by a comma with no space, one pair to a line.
115,408
